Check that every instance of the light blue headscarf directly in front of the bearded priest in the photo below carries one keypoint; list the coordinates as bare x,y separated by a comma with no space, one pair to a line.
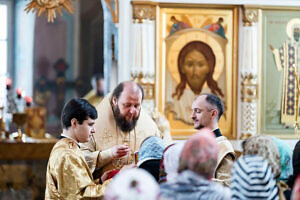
151,149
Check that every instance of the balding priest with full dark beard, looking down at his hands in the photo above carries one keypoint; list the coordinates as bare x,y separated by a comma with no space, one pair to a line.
120,128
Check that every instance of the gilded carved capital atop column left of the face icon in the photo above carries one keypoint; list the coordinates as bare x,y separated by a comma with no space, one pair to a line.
142,12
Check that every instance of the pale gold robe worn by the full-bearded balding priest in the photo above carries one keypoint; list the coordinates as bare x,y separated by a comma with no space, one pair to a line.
98,150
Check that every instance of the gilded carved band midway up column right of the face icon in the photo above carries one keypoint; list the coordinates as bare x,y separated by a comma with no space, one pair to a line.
249,88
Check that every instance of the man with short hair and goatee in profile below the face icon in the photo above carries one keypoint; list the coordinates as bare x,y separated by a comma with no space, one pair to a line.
207,109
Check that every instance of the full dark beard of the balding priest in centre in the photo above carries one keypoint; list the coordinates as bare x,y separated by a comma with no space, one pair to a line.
124,125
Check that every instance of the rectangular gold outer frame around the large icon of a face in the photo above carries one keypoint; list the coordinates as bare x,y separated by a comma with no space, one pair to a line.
180,130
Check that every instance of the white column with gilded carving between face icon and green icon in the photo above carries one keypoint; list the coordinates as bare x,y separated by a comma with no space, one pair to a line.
248,68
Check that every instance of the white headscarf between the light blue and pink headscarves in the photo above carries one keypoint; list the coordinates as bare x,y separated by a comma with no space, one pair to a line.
171,160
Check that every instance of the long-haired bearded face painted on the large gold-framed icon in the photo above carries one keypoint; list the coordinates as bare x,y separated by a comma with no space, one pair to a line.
196,64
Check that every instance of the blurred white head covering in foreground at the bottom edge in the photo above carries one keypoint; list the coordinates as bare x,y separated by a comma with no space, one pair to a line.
132,184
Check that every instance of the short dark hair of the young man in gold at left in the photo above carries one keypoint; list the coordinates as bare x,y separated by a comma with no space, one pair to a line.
77,108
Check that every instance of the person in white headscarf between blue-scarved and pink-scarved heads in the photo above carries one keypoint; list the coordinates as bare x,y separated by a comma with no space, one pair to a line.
170,162
